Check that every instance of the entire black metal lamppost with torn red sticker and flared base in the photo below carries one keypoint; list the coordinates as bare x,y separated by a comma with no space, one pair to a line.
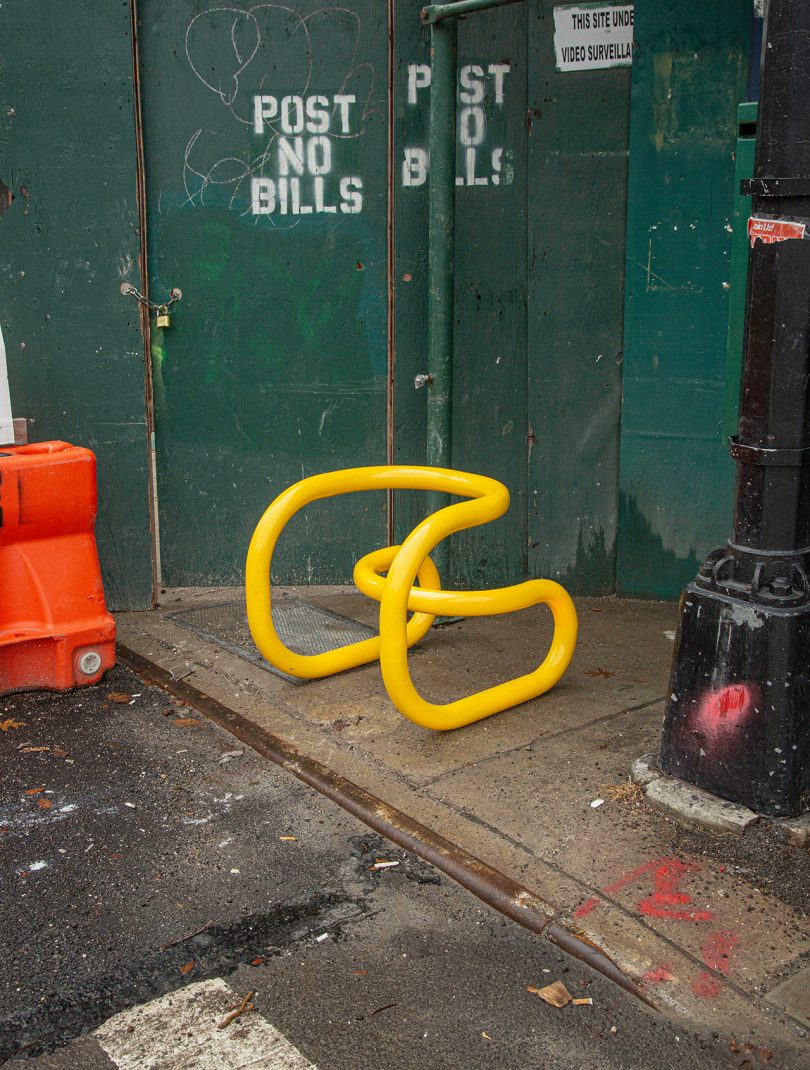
737,722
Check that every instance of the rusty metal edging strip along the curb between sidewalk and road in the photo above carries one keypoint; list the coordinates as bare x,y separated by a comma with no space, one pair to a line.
487,884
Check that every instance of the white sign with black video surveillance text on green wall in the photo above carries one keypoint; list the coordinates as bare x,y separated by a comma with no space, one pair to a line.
591,37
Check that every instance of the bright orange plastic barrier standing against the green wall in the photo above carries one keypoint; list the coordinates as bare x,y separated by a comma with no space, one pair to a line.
55,629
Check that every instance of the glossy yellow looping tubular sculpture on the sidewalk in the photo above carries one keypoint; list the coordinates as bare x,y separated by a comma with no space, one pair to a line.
398,595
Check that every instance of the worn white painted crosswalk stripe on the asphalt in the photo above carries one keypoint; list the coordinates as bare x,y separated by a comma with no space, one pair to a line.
179,1032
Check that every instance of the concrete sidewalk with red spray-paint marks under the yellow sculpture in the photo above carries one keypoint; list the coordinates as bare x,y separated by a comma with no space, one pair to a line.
711,927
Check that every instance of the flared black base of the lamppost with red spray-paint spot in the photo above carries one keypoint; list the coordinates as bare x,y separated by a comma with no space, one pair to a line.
738,719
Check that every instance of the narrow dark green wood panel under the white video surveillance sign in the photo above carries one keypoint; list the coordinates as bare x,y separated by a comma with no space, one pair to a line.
578,143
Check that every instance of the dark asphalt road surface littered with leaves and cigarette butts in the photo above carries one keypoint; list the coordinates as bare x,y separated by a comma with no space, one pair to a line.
145,851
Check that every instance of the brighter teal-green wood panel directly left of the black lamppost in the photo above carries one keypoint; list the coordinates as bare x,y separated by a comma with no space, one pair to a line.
690,74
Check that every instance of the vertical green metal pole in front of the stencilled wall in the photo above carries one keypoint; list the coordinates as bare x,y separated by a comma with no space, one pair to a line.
441,242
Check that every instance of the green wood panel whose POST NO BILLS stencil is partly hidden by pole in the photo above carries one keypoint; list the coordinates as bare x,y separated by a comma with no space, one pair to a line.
490,395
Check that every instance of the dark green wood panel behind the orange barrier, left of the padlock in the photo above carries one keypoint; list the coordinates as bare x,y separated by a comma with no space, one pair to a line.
68,241
